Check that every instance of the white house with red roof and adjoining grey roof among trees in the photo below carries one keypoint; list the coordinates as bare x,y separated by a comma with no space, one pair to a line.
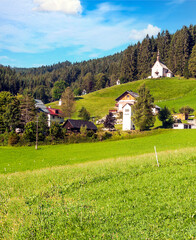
54,115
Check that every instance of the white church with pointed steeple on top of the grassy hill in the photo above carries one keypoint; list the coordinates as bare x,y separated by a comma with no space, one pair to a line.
160,70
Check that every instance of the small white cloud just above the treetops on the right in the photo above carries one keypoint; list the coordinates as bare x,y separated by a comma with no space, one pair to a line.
140,34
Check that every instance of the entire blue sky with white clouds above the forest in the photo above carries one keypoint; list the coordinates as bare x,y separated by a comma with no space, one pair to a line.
44,32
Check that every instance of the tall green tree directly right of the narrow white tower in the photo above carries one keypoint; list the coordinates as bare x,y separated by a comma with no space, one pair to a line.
143,117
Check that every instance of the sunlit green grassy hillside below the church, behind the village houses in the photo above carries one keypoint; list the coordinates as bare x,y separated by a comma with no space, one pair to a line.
172,92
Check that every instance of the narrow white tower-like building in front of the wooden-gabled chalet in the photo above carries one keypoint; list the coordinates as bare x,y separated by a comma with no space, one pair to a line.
127,114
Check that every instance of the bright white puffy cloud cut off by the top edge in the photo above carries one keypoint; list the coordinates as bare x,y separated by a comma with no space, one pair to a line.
65,6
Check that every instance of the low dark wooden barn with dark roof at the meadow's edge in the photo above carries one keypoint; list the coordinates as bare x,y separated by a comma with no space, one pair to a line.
74,125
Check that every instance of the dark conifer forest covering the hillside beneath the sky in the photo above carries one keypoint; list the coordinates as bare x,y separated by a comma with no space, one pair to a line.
177,51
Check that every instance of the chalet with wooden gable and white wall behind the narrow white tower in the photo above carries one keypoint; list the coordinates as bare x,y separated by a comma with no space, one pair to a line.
123,99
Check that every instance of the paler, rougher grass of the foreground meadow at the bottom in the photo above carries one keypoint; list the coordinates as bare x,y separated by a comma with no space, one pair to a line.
129,198
